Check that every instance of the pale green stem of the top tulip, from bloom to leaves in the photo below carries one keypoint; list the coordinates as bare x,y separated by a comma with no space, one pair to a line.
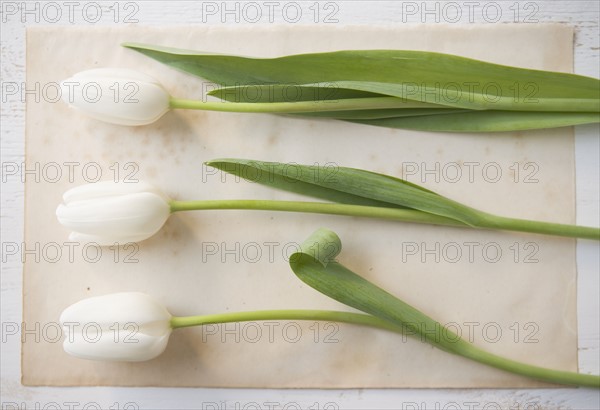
301,106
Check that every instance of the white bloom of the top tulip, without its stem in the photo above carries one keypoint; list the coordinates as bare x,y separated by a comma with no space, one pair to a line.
118,96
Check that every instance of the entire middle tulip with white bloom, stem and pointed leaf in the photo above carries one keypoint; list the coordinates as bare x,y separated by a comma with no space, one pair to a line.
106,213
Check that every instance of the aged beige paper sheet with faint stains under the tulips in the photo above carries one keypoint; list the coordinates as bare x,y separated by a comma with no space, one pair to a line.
179,268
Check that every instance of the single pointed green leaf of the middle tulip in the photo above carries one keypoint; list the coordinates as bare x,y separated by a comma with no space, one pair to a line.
347,185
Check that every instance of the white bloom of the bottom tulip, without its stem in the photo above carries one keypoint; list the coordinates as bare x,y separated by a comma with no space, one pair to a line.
130,327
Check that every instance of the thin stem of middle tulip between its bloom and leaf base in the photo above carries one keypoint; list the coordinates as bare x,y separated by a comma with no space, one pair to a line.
406,215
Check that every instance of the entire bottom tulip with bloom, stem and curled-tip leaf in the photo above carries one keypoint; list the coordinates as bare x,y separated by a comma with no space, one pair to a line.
133,327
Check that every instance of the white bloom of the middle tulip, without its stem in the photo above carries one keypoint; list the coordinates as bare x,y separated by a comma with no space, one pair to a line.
107,213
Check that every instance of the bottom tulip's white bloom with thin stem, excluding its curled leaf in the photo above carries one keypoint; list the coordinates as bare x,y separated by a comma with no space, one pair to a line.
134,327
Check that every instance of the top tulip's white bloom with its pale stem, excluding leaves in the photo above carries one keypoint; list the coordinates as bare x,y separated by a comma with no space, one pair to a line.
127,97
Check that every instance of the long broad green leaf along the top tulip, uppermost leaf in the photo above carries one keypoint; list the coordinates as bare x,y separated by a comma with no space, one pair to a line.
412,75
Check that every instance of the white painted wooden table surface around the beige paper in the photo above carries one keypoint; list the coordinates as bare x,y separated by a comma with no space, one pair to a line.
16,15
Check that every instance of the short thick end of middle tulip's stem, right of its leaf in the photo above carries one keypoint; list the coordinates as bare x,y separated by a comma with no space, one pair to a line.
546,228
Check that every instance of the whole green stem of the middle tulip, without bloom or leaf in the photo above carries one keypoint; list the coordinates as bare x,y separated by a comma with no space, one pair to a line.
487,221
